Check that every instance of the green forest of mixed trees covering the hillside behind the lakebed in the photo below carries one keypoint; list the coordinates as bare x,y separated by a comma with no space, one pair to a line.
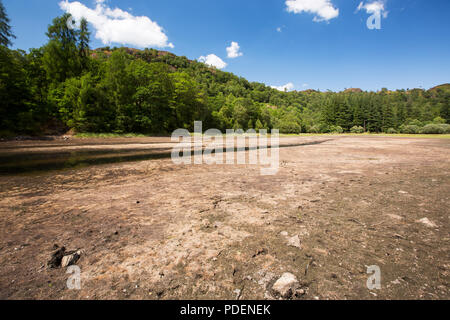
65,86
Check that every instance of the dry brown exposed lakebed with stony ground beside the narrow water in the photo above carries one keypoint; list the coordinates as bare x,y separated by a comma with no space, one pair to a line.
155,230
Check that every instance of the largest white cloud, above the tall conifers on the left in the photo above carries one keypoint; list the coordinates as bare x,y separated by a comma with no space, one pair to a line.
118,26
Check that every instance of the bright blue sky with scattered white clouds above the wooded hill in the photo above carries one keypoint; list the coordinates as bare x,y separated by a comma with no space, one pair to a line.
304,44
